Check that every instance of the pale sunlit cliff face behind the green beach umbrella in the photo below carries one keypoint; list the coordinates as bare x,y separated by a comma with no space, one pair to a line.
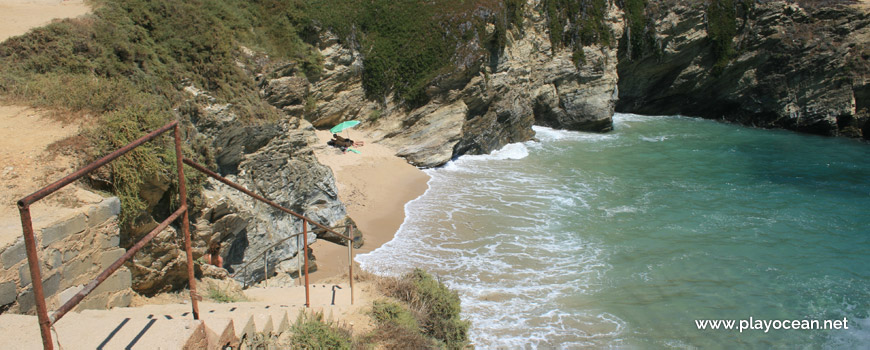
491,99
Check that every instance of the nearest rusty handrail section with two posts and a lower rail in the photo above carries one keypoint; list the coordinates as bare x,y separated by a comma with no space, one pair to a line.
30,241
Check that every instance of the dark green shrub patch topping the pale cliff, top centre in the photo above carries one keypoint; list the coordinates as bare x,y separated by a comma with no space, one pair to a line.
406,44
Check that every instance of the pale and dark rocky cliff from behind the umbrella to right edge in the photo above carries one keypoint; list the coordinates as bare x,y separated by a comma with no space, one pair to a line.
793,67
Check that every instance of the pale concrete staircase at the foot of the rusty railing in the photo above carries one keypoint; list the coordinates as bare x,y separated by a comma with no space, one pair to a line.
270,311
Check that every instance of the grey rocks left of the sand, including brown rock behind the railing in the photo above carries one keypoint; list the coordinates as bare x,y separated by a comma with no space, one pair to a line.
273,159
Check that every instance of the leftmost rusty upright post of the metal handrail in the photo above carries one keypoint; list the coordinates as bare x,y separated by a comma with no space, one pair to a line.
35,276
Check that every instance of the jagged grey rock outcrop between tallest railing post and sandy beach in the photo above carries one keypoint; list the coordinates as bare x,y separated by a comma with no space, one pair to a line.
274,160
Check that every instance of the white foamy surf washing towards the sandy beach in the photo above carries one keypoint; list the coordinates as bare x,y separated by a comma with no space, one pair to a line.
510,276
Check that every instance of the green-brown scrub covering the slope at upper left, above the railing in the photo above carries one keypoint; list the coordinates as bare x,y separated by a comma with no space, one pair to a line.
128,61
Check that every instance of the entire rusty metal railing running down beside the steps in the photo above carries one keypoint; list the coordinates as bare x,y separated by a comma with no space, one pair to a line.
45,322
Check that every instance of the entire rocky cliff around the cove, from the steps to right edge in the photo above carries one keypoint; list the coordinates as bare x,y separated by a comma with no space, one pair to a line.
791,67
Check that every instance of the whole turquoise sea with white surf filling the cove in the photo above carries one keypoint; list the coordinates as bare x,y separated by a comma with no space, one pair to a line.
622,240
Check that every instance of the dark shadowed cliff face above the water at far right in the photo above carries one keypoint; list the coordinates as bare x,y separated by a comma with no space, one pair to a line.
796,68
